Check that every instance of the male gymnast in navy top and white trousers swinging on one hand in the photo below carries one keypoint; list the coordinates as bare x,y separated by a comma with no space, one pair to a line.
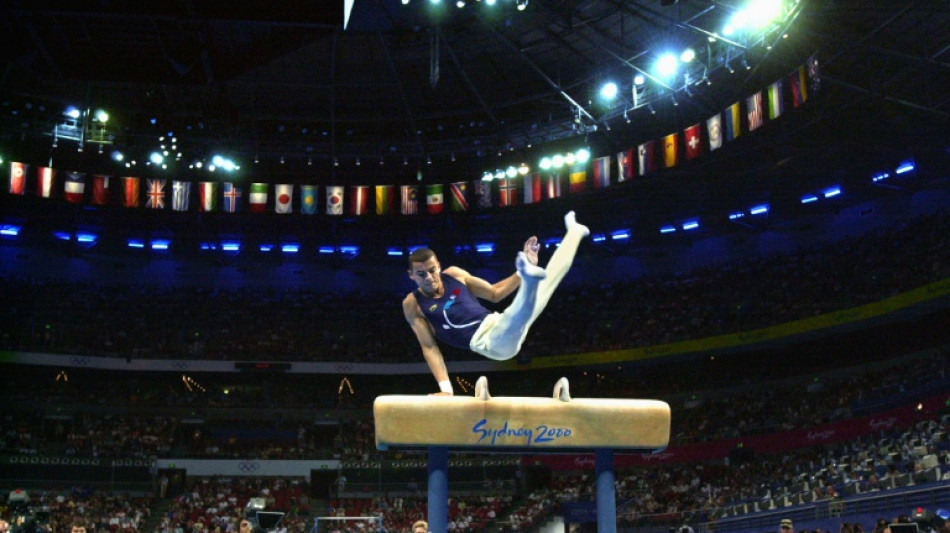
447,307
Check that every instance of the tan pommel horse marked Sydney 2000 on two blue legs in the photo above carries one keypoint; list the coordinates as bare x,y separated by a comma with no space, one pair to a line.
526,425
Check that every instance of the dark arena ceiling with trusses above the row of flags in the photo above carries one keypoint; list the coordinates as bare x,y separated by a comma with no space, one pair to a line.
406,84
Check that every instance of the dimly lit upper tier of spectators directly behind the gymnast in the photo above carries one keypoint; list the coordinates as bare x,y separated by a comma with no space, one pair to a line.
62,316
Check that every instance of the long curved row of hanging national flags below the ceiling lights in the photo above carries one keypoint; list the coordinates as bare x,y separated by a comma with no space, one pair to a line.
283,198
